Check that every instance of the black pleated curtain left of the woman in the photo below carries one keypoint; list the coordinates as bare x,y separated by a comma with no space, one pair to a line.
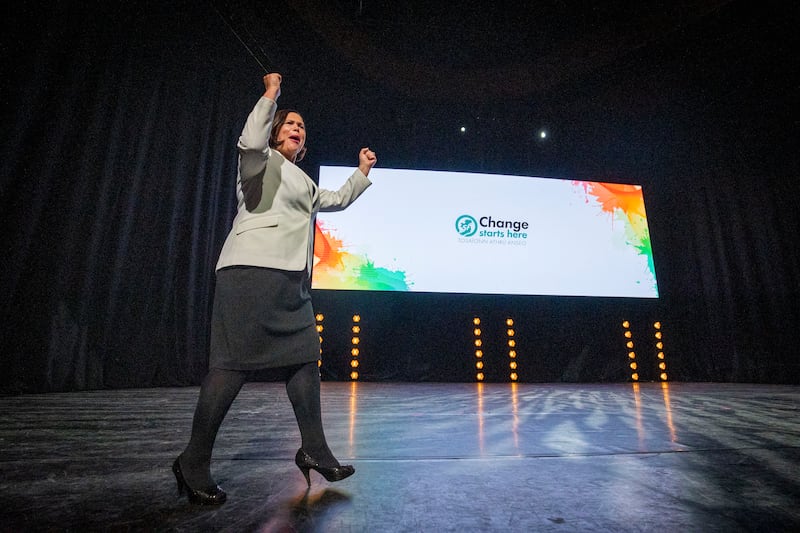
116,190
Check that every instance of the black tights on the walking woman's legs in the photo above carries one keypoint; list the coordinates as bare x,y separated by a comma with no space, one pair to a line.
219,389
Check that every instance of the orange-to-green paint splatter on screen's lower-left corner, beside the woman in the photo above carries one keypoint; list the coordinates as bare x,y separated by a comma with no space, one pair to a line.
336,268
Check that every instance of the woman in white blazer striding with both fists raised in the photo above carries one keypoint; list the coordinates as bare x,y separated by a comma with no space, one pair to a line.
263,316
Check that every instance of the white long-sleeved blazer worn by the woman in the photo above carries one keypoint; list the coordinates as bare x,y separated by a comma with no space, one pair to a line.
277,202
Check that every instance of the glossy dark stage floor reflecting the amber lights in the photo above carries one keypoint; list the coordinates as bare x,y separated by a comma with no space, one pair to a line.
428,457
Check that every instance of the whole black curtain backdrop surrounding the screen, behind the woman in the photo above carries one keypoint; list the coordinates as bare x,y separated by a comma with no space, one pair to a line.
118,166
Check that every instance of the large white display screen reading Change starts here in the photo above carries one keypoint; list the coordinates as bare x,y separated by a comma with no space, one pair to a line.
456,232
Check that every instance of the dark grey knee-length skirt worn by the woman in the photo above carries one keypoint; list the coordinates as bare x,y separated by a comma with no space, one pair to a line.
262,318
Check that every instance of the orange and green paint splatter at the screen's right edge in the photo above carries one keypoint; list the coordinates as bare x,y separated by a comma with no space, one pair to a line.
625,203
